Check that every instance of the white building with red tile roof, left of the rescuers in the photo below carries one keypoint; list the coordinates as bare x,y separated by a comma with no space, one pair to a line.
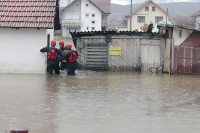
25,27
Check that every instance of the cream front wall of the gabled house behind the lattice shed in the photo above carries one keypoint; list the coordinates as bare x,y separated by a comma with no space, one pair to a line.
149,16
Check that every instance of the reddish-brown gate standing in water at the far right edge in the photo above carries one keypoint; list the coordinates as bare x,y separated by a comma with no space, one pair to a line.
189,60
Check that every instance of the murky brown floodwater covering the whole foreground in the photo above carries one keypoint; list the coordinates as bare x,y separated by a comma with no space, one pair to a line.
100,102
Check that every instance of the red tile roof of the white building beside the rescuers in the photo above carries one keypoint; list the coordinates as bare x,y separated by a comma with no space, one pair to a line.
27,13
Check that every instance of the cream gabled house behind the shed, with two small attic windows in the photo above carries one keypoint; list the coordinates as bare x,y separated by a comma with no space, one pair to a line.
146,13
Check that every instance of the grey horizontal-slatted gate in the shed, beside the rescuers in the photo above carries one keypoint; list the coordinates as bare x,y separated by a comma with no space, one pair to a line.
97,56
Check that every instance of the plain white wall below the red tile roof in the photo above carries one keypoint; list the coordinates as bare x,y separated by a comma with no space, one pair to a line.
20,50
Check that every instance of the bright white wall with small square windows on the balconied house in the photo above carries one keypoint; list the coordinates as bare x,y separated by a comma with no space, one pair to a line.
87,21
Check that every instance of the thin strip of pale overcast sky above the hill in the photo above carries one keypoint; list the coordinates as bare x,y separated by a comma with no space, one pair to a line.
124,2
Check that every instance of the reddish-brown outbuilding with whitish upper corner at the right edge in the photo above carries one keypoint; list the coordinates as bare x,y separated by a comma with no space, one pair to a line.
186,51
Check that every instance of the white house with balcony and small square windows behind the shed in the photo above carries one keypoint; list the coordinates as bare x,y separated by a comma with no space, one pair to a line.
84,15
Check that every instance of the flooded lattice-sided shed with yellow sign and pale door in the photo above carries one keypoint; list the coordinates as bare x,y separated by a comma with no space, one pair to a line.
123,52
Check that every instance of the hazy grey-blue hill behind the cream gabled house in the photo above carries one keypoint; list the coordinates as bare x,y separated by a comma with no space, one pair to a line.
175,9
